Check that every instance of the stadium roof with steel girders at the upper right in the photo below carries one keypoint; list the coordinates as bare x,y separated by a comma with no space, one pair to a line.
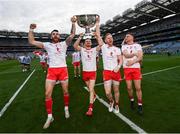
143,13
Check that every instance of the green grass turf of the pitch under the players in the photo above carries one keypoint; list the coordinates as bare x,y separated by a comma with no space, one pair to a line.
27,113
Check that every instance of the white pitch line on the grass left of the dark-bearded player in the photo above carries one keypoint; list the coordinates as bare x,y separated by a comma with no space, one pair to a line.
15,94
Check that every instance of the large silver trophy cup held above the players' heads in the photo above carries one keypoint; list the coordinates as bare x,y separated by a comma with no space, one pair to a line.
87,21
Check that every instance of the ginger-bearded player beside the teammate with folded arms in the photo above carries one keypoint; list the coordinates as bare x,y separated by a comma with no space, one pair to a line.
112,61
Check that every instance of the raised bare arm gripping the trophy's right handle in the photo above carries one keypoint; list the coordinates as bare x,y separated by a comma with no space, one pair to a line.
98,34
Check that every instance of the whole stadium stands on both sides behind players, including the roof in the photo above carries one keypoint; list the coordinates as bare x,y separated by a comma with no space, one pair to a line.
154,22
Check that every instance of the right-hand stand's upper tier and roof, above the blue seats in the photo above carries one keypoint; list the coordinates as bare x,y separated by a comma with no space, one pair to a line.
150,22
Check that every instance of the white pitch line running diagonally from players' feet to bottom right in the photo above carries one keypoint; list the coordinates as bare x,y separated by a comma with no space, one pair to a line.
125,119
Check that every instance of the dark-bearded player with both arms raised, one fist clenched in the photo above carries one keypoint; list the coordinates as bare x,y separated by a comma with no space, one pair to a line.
57,67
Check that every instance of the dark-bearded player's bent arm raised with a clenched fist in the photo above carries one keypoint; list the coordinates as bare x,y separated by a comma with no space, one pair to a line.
31,39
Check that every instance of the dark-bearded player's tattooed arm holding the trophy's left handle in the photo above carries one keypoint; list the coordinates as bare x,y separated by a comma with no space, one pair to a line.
73,30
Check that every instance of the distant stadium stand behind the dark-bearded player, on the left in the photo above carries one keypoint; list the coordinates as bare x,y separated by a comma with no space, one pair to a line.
14,44
